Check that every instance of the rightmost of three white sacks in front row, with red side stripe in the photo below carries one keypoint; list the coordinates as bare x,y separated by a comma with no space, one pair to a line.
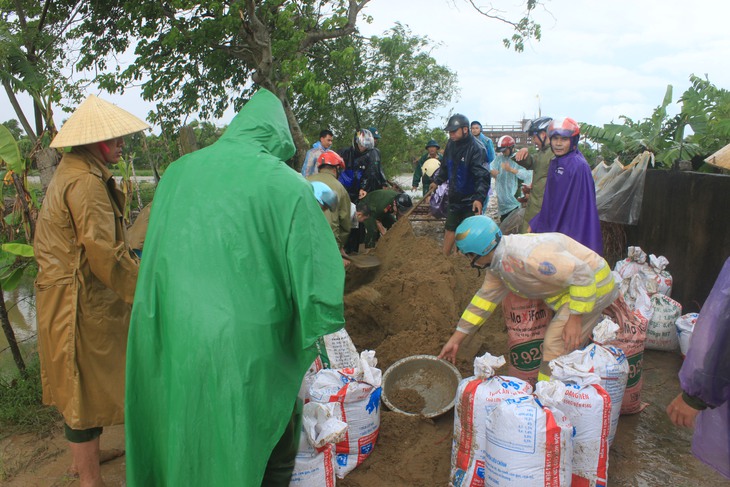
588,406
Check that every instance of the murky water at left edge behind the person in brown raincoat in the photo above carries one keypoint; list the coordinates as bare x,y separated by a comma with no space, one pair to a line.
21,311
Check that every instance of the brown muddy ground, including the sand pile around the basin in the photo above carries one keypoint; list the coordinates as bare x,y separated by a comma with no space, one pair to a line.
409,306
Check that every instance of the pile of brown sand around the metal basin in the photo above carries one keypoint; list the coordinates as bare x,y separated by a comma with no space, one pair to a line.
409,306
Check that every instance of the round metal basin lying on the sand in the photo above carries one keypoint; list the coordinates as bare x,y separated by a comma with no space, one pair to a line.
420,385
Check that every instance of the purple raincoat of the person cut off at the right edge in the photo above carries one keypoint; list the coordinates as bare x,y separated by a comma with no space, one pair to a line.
706,374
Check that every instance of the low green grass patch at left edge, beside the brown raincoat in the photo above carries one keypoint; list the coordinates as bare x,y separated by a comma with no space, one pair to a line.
21,406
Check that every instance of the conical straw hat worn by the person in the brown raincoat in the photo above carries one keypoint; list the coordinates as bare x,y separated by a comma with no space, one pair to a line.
96,120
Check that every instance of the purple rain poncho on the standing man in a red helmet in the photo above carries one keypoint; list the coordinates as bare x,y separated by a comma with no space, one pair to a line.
569,205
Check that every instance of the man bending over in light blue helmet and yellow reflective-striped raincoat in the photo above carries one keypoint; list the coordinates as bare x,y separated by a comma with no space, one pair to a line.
572,279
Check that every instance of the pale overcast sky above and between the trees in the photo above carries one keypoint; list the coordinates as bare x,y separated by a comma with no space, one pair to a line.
597,60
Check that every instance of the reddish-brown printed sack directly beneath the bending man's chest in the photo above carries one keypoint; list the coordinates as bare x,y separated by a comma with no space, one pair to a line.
526,321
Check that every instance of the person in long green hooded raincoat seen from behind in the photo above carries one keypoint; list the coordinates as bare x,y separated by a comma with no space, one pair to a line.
240,276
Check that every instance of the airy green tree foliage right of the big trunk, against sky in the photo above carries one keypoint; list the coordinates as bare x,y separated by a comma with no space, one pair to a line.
390,82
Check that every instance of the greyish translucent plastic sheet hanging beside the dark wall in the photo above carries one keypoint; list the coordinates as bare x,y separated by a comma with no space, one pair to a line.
620,191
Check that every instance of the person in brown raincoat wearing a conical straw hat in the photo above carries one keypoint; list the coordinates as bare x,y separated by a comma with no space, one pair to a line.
86,282
